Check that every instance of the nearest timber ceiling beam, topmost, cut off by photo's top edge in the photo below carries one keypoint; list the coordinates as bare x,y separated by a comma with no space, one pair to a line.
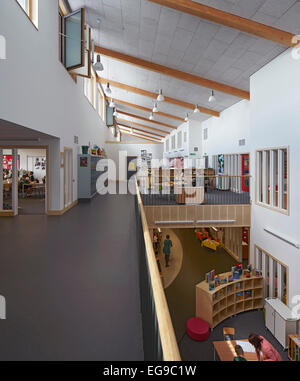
230,20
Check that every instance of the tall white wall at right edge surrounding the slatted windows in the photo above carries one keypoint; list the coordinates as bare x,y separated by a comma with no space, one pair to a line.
275,93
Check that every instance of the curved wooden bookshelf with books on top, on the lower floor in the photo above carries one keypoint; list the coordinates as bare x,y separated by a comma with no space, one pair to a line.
229,299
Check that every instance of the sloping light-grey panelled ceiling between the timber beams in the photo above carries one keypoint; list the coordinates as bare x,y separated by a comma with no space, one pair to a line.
161,35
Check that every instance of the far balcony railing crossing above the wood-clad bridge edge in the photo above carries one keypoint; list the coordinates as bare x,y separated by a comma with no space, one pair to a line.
206,190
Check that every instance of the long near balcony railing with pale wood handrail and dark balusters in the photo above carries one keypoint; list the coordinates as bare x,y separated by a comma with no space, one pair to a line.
158,333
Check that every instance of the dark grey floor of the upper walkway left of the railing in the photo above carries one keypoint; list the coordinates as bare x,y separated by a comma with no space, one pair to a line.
71,284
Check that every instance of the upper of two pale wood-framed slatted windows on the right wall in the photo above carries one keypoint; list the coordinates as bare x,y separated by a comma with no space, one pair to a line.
260,181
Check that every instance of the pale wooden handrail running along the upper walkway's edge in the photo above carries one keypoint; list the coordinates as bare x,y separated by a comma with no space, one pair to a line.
166,329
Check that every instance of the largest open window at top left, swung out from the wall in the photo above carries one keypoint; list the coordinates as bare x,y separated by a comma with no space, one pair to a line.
77,44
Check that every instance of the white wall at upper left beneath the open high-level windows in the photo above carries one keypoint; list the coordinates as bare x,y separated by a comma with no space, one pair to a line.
36,90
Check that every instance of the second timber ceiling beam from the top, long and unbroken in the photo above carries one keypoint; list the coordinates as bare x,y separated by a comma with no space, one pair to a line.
173,73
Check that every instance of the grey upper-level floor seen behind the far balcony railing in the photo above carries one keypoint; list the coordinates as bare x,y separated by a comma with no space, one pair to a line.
211,197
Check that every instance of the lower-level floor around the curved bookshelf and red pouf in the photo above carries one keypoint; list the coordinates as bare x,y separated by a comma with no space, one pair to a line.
197,261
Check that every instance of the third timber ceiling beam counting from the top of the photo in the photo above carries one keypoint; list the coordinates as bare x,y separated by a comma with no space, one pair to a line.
149,94
